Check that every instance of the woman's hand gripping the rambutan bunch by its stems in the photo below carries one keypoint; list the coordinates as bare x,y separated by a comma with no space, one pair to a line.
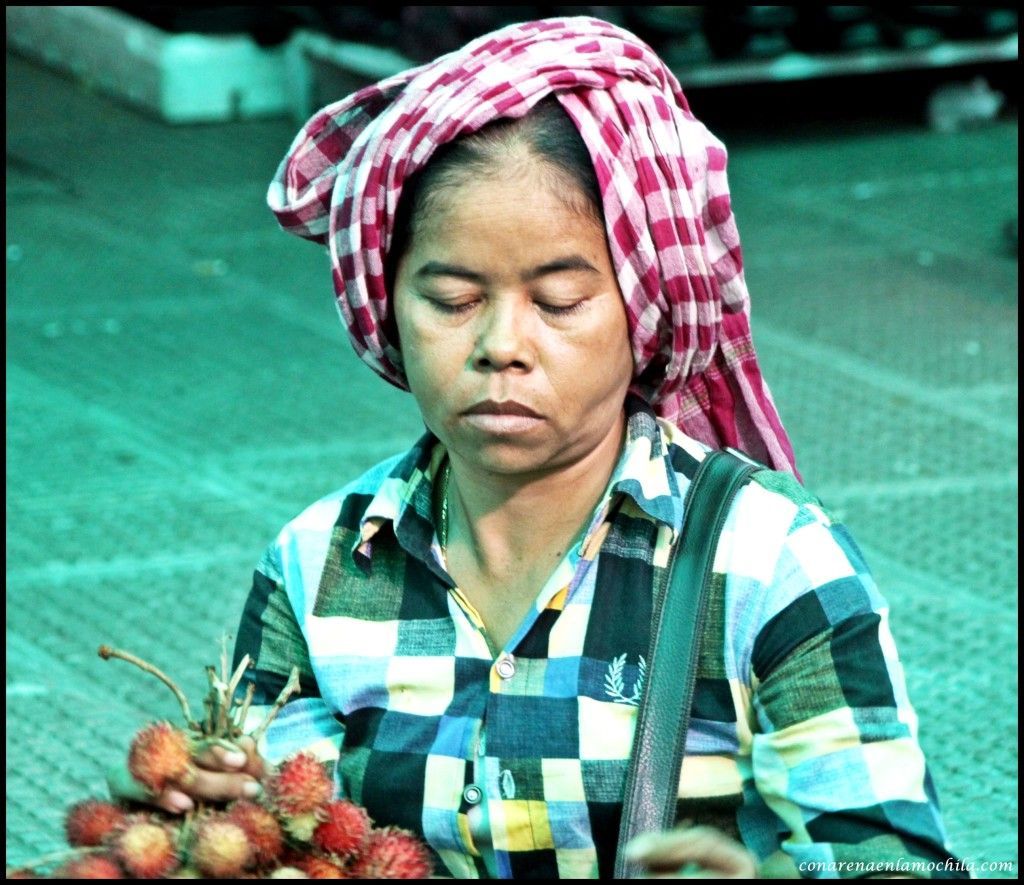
219,775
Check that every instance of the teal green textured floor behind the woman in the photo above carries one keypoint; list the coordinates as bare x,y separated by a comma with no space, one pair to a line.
180,386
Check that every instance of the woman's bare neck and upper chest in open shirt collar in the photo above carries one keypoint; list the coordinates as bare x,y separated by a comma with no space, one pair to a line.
510,523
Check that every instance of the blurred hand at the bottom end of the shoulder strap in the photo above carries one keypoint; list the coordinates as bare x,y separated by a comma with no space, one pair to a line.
695,853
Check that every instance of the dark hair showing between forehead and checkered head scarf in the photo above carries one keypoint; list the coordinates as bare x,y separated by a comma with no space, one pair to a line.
549,135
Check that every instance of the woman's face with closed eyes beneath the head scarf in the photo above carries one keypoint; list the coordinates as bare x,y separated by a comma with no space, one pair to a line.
513,326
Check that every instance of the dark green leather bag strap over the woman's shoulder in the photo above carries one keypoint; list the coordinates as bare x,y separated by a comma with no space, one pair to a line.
664,714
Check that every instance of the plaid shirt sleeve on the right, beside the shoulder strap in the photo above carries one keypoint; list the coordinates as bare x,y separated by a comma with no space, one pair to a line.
837,785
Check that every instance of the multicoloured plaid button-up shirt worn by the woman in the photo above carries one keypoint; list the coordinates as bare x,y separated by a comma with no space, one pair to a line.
802,741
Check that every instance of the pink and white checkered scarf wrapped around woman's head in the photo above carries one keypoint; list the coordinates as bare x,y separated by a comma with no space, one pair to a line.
669,222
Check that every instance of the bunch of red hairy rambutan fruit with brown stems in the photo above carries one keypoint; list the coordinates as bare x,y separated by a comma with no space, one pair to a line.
297,830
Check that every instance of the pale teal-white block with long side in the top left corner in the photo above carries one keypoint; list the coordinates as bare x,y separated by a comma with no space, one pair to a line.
183,78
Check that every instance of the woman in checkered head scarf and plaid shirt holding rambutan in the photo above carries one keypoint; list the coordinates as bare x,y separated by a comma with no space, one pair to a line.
534,236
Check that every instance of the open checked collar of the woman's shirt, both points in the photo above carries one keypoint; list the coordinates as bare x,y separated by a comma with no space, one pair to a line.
645,474
